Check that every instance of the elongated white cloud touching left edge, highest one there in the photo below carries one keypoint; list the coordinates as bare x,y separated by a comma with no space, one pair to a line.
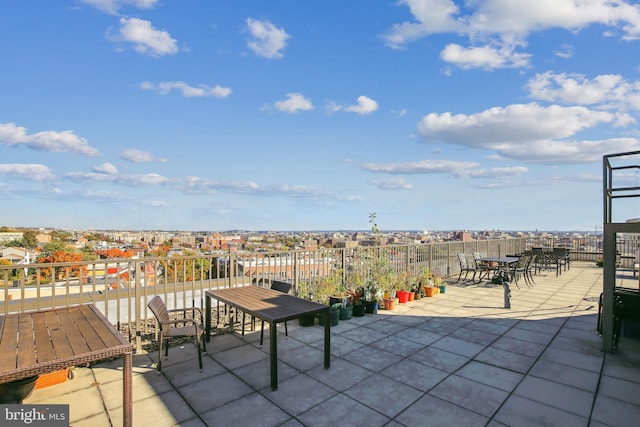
51,141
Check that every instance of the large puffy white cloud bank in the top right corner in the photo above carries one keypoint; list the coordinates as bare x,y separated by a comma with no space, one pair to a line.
495,27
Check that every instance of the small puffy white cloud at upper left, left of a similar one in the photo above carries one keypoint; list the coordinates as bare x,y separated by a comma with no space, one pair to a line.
145,38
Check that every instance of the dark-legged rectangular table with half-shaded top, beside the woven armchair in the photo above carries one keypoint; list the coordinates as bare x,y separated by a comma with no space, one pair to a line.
272,307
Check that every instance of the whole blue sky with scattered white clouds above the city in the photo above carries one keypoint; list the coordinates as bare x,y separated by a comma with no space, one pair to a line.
309,115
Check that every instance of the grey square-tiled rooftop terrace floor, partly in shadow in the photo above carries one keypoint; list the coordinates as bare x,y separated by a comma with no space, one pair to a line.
459,358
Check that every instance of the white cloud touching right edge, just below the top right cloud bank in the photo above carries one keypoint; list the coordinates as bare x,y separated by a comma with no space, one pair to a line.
606,90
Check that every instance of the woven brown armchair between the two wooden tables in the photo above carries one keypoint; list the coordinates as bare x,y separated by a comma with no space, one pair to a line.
179,327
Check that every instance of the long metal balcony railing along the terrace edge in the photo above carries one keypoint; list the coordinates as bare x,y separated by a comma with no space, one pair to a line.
121,288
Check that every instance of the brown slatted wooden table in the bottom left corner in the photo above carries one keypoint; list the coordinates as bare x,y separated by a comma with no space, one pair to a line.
46,341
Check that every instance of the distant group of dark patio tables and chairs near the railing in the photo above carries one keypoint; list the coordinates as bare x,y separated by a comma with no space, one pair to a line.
512,268
